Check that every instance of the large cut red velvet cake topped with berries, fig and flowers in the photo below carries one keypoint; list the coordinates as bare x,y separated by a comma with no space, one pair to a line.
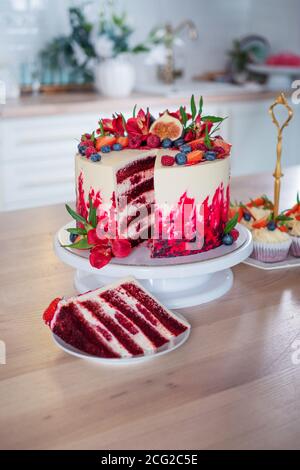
163,181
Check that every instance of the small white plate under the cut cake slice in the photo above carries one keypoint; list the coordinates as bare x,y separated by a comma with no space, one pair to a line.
171,346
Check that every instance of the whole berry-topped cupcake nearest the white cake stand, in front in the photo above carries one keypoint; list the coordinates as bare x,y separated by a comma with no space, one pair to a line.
271,241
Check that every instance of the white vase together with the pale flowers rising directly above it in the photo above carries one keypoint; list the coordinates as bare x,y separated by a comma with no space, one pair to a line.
115,74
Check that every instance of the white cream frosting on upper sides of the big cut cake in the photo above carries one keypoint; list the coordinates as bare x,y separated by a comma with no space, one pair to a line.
198,181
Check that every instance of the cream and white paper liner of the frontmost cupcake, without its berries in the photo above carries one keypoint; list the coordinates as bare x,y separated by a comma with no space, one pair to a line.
270,246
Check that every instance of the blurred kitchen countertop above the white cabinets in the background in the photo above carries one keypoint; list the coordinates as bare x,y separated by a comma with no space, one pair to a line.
79,103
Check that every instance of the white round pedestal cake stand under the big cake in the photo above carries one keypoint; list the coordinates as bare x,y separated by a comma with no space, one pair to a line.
177,282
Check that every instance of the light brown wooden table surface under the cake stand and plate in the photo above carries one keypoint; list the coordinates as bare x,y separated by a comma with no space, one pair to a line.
232,385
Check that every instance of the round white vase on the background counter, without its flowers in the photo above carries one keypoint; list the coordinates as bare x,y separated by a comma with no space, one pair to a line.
115,77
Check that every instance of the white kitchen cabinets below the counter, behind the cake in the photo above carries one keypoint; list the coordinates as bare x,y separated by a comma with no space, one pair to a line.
37,153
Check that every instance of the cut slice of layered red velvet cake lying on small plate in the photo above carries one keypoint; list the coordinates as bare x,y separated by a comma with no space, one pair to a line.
121,320
